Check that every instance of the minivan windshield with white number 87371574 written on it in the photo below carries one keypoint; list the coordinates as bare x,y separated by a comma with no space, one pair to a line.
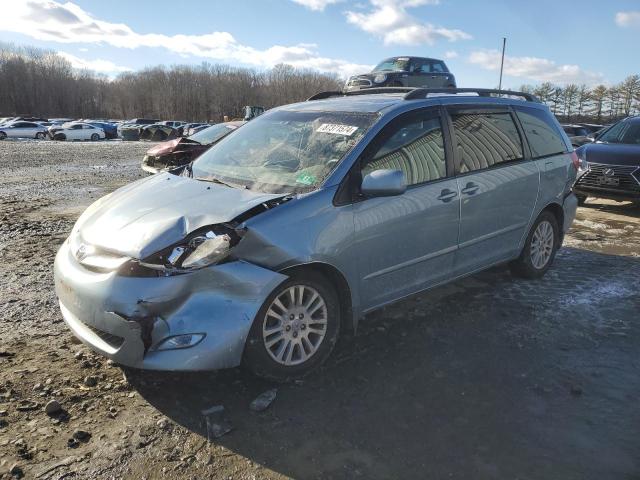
283,151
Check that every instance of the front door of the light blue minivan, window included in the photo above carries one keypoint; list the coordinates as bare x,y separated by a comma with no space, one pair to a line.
407,242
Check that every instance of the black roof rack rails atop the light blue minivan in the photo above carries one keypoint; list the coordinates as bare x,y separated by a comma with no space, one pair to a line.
421,93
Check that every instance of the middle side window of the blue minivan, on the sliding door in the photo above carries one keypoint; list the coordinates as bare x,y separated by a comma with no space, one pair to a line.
486,139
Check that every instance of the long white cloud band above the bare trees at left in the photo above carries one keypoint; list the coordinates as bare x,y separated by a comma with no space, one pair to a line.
51,21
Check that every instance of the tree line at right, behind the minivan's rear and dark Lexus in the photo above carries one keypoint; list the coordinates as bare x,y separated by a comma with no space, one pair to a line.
599,104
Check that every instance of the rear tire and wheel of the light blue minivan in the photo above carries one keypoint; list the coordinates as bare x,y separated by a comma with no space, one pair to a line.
529,264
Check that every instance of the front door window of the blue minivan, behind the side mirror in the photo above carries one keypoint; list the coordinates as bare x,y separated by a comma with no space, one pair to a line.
416,147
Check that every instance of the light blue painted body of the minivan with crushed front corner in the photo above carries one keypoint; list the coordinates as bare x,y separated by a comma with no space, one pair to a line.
385,248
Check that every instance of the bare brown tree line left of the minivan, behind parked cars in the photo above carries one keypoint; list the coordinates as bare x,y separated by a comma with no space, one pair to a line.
41,83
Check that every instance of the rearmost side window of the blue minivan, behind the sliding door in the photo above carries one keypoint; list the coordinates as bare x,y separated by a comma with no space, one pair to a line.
542,134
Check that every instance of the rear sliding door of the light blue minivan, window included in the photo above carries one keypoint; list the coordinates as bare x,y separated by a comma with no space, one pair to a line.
498,186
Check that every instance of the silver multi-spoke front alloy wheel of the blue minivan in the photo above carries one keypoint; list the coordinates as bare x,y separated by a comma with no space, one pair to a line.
295,325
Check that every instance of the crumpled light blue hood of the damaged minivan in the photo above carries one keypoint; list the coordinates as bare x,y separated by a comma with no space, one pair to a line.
145,216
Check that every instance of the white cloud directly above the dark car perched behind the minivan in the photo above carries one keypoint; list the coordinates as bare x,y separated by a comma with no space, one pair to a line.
390,20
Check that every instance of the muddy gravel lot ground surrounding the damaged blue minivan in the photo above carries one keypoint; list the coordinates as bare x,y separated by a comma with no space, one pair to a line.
485,378
